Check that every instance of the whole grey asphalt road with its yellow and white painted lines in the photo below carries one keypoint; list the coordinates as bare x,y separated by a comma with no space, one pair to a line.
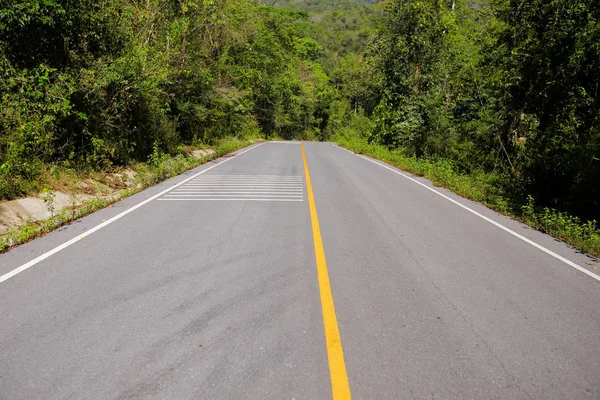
217,289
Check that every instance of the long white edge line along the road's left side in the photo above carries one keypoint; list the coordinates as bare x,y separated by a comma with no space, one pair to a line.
63,246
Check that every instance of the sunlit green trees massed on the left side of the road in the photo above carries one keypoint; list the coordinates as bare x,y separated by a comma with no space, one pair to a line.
89,84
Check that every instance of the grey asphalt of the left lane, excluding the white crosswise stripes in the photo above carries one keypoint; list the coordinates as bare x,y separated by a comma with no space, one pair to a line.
179,299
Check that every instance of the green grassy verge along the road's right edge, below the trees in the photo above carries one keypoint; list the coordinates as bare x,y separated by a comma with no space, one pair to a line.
486,188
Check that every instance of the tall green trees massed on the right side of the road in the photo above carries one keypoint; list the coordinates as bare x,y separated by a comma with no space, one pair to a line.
508,87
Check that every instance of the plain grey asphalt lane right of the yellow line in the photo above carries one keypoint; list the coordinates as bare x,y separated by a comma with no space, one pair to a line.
434,302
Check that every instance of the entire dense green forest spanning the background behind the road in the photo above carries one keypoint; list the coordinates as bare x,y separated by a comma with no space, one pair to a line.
498,88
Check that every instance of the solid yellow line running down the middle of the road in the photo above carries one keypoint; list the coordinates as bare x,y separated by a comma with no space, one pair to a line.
340,388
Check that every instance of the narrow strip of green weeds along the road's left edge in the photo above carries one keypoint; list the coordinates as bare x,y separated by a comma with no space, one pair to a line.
159,168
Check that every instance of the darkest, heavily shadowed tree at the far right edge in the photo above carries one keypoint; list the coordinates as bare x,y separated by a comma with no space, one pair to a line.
554,104
